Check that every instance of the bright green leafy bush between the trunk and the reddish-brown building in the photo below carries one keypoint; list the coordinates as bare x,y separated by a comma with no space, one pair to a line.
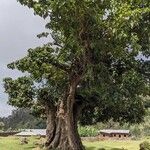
87,131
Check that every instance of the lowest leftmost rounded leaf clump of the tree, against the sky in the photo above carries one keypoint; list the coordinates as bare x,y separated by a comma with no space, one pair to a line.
21,91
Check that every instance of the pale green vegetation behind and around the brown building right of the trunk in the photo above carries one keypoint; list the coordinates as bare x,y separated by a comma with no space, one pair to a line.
138,131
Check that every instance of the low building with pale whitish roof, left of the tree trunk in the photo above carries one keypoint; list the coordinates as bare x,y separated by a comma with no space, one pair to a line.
32,132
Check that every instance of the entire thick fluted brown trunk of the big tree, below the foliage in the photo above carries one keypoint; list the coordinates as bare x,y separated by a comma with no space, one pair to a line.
62,133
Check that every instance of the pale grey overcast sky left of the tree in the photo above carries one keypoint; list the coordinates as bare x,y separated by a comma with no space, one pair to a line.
18,30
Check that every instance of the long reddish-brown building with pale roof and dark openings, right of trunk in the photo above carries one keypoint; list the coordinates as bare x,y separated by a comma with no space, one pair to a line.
114,134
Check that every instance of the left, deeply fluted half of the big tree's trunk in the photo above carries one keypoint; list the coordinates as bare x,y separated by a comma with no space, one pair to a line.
56,135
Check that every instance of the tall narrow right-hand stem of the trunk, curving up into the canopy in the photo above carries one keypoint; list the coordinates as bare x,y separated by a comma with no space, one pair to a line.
71,118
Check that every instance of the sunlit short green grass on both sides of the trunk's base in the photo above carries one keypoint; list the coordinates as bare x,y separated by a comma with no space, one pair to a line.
13,143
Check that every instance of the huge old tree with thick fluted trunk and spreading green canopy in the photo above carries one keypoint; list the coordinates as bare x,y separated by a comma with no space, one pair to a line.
93,60
